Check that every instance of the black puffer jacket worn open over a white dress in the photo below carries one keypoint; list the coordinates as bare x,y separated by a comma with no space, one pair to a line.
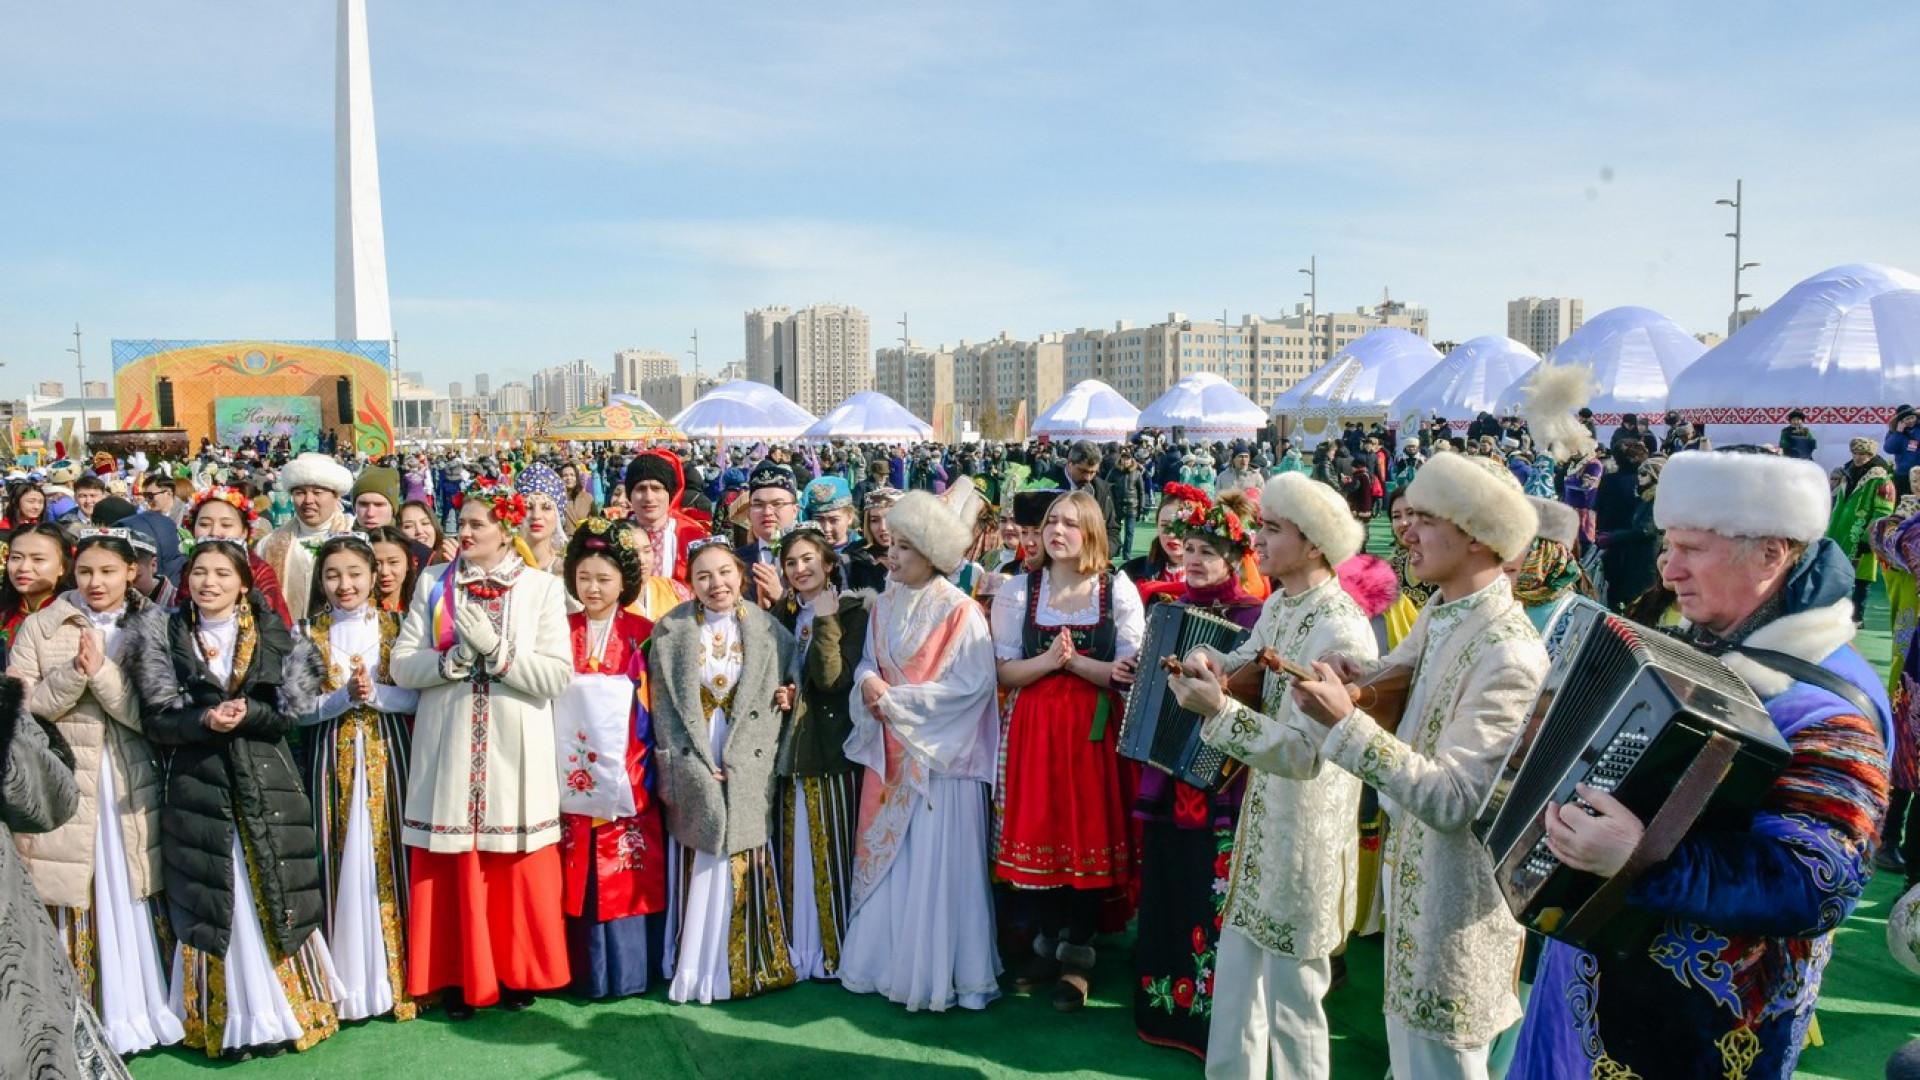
245,775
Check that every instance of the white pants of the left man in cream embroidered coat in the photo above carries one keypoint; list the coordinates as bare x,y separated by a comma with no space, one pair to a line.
1268,1016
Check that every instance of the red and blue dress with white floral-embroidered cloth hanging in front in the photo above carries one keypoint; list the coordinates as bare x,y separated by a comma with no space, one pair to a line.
615,870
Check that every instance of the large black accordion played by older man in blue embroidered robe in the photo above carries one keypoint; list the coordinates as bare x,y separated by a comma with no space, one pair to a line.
1664,727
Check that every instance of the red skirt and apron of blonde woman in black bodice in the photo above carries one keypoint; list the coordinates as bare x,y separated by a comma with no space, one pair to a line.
1067,797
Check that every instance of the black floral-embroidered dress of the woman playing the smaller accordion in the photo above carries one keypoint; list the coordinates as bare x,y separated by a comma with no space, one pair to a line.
1186,852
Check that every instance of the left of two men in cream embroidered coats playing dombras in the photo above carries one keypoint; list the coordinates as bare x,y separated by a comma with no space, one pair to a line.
1291,896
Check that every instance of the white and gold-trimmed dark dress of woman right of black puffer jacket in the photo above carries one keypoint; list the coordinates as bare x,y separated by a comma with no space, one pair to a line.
358,787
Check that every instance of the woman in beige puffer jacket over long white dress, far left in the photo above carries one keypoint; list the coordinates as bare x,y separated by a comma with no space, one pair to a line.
101,871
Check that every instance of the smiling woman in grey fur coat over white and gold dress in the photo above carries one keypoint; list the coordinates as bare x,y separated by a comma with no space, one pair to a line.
719,706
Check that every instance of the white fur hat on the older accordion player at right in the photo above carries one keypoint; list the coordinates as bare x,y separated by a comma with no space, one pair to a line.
1744,495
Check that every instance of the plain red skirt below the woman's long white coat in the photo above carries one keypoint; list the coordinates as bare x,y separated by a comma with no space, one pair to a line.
487,920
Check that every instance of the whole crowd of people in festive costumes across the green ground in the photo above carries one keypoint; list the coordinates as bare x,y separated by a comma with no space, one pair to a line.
293,741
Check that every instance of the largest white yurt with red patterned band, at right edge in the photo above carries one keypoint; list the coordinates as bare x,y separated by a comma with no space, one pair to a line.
1844,347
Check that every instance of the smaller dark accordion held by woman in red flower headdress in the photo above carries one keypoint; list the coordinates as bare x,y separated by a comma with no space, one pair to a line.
1155,729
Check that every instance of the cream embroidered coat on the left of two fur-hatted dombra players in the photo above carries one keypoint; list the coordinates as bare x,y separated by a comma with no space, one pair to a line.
1297,848
